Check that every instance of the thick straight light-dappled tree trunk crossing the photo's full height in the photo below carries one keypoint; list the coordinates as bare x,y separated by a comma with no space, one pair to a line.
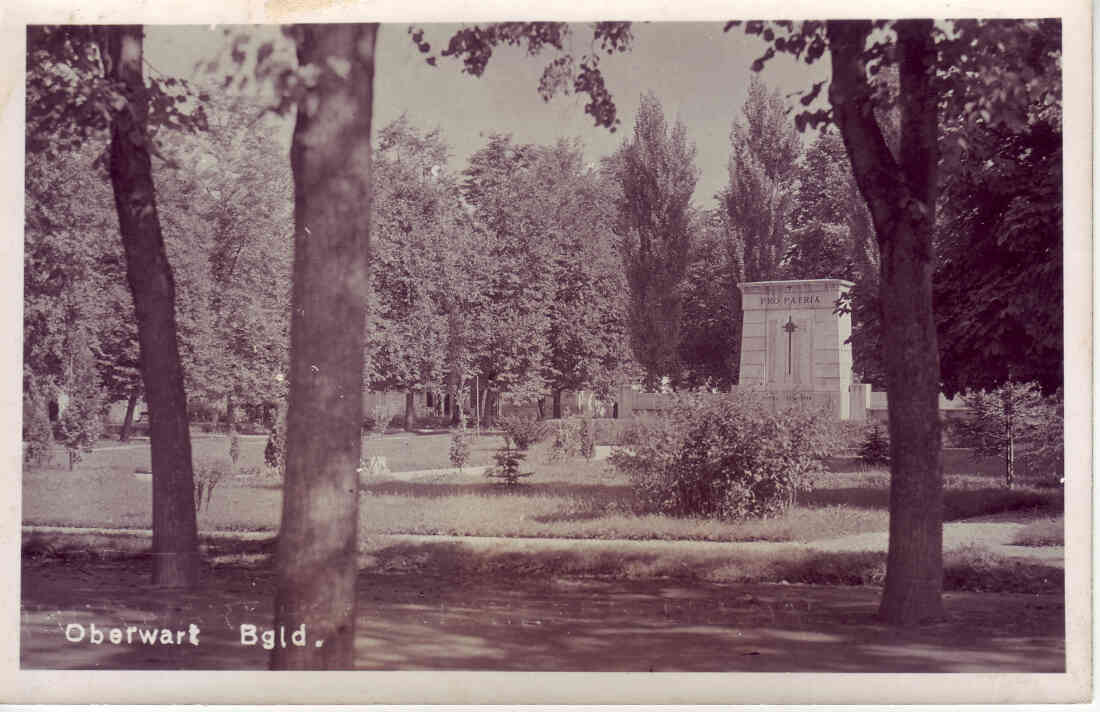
331,157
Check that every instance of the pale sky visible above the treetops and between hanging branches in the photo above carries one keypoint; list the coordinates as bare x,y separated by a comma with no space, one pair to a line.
700,75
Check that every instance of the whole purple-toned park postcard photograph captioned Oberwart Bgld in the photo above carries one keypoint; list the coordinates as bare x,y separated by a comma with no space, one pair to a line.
552,347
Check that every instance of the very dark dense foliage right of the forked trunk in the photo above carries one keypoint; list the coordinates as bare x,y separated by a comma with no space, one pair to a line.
999,275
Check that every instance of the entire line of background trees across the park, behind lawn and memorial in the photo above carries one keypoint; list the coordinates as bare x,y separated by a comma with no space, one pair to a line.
571,239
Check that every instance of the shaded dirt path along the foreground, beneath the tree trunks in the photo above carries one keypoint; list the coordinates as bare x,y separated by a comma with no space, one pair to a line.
415,622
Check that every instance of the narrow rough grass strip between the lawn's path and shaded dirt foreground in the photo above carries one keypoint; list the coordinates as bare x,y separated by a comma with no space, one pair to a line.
970,569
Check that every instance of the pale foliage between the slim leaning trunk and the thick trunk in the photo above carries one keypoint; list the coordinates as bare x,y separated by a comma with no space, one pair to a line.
227,213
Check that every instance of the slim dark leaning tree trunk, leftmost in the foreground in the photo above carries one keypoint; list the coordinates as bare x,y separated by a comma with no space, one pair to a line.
175,534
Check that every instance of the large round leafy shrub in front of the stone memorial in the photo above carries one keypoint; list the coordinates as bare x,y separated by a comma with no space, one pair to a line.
729,457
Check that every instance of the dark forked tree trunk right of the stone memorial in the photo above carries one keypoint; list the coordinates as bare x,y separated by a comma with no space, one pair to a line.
901,196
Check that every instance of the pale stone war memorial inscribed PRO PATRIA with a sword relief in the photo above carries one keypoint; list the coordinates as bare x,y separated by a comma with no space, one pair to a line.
795,346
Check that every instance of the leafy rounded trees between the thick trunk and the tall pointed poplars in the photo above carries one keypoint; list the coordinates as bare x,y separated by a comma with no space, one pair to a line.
507,272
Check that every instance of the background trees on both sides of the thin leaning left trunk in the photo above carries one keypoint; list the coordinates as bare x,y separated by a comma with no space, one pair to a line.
226,218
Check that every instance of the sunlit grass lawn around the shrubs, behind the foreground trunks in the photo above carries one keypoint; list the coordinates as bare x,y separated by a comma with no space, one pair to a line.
573,500
